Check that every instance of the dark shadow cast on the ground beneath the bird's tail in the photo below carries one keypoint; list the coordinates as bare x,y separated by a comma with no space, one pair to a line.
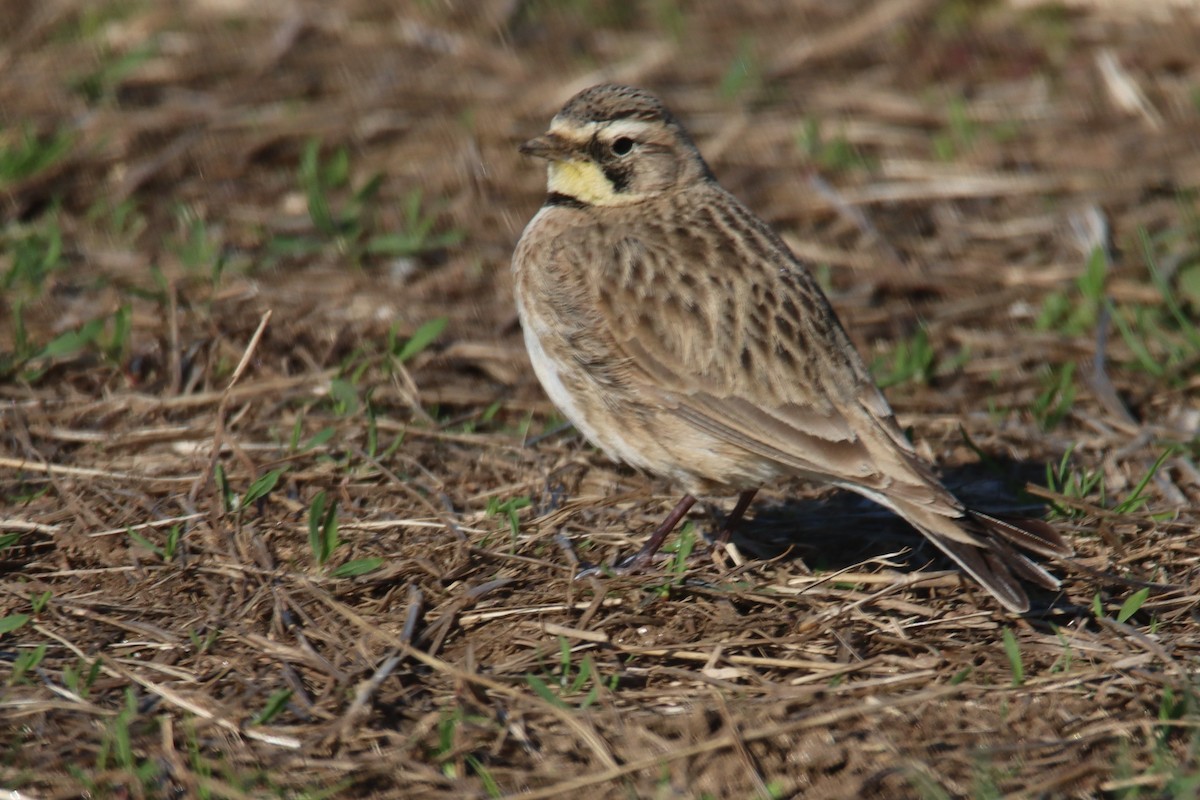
841,530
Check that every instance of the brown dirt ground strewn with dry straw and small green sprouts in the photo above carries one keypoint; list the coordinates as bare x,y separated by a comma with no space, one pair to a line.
965,147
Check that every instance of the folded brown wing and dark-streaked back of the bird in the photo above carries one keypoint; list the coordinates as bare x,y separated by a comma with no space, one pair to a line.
752,353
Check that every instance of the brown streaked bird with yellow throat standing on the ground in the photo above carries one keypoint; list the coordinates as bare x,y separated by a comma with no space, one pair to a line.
681,336
